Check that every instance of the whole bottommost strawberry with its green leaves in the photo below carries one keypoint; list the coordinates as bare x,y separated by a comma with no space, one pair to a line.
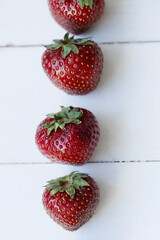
71,200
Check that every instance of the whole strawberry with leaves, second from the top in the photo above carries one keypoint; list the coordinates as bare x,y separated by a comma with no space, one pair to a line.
73,65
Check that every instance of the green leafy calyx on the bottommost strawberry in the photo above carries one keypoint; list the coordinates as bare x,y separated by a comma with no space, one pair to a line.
68,183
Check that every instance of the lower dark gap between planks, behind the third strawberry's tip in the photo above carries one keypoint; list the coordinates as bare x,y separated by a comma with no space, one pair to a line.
90,162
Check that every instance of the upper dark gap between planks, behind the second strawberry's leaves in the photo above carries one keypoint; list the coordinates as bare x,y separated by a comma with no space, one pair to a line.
101,43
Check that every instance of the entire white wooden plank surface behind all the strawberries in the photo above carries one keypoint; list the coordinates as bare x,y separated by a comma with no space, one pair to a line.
126,104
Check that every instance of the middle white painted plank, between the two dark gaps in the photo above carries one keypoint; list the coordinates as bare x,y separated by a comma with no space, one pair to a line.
126,103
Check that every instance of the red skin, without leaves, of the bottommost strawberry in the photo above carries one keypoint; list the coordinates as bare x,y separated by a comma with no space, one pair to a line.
72,213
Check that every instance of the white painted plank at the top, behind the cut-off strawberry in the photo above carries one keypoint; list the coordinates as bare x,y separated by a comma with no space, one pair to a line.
29,22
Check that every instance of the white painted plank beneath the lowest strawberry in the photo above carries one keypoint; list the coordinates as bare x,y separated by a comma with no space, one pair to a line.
129,208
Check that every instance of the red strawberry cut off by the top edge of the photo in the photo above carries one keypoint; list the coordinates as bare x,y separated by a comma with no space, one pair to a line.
76,16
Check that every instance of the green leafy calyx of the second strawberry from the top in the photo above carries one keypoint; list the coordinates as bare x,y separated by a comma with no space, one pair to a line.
68,44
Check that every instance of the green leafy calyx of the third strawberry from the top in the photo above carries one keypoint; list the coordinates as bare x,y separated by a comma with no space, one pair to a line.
65,116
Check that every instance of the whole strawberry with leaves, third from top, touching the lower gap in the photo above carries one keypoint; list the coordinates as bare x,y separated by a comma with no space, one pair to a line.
69,136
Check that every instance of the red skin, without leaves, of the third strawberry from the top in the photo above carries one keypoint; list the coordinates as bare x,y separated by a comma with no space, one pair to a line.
74,145
